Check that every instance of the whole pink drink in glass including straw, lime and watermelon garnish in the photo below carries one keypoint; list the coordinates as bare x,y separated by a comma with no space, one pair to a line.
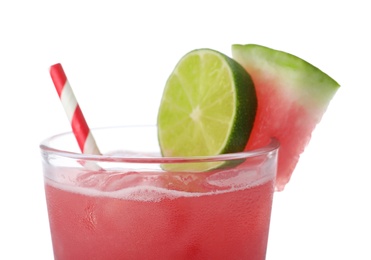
200,184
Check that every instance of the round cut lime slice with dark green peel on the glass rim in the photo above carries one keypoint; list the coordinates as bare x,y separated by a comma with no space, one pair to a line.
207,108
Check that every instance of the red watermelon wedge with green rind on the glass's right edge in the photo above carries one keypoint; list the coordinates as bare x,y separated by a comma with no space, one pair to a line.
292,97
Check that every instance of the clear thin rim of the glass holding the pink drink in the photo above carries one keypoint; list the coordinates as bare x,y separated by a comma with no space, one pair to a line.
45,146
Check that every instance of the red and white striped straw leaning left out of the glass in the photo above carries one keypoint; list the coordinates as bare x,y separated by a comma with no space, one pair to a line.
80,128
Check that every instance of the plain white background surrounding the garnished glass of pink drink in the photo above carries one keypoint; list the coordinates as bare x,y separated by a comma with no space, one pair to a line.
117,56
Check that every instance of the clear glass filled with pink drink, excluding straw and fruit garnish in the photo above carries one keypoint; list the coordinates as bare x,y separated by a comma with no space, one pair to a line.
132,209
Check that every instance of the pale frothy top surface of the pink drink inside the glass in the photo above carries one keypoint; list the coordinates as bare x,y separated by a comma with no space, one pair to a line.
151,186
